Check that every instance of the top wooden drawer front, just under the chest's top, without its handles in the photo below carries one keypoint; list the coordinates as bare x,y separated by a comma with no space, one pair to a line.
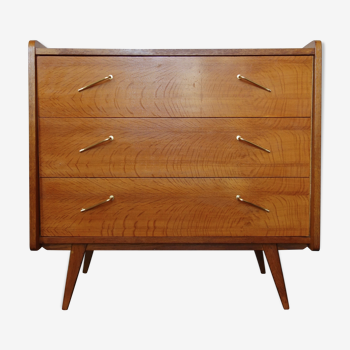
174,86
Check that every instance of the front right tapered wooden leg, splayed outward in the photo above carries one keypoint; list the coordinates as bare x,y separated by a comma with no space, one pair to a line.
273,258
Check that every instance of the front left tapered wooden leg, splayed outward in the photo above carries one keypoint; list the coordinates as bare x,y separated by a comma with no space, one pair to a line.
75,260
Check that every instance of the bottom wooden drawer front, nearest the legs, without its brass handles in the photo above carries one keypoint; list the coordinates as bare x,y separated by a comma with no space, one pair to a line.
175,207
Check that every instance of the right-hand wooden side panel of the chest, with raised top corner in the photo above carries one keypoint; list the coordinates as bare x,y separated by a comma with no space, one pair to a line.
315,183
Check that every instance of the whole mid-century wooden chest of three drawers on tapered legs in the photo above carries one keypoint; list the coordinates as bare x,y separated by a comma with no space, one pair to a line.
175,149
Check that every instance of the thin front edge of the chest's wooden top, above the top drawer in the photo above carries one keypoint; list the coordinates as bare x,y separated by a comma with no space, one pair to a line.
176,52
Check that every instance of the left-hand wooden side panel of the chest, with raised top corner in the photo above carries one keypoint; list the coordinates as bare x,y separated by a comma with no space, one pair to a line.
34,213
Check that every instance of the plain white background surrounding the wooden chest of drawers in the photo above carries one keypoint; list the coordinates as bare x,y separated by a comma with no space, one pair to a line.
174,300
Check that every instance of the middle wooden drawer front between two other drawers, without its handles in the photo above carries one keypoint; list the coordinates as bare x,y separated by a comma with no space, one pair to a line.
169,147
